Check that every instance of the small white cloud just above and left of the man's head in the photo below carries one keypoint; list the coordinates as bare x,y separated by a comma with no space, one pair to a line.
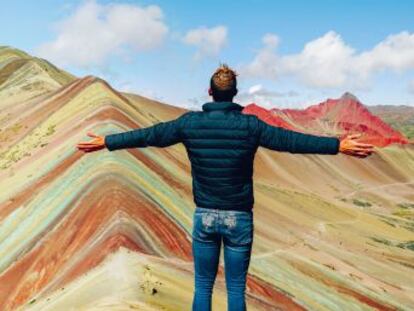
208,41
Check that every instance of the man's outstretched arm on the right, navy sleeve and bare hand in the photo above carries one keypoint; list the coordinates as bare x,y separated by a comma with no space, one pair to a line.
281,139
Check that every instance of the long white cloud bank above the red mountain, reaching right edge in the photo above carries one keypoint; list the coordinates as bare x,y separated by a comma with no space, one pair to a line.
328,62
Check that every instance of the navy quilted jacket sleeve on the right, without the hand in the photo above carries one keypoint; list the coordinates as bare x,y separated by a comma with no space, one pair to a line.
281,139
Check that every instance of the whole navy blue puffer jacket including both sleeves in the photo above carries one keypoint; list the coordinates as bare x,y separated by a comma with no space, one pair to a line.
221,143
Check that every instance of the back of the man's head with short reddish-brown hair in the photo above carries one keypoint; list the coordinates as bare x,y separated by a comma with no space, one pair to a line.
223,84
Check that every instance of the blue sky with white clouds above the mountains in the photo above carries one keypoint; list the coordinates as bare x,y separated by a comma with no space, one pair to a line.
288,53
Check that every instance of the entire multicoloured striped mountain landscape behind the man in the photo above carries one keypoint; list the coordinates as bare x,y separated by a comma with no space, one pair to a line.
112,230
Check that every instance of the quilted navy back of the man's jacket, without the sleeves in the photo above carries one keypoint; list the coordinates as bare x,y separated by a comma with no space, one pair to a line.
221,148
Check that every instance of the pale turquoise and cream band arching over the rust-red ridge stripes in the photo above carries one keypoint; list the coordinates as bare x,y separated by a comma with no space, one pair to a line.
38,214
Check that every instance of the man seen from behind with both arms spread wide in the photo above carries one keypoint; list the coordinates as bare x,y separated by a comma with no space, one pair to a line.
221,143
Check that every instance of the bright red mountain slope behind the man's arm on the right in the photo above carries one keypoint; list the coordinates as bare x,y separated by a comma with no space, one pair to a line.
334,117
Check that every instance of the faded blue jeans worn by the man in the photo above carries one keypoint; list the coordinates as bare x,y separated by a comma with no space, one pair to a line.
210,227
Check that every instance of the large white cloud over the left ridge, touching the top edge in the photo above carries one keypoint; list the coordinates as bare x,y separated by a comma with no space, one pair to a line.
96,31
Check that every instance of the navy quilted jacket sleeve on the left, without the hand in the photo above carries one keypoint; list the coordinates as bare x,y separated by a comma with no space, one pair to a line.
162,134
